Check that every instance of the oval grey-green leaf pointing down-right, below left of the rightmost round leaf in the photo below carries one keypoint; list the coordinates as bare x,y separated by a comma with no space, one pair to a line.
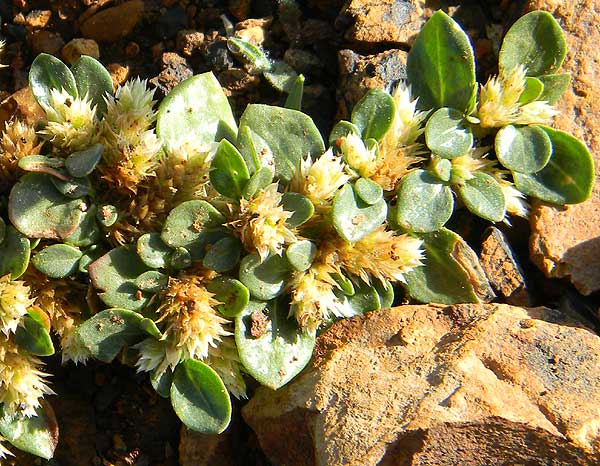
483,196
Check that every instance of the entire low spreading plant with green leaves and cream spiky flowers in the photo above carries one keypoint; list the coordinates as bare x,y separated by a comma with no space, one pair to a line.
202,250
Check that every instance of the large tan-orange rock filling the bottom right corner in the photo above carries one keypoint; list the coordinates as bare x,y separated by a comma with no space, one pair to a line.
431,385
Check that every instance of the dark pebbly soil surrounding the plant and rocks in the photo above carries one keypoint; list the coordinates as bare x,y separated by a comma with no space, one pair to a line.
109,415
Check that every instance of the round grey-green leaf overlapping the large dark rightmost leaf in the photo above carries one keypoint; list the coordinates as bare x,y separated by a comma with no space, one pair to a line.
525,149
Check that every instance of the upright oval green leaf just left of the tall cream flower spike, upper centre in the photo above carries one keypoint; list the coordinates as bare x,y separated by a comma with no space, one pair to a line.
373,114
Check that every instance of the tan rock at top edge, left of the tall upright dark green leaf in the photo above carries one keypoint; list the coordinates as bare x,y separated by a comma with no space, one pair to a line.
375,23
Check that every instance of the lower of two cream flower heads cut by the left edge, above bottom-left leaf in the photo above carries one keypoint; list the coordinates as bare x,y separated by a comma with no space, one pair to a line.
22,384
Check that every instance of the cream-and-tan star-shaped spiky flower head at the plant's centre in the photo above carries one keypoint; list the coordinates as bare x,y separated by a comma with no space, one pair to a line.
262,223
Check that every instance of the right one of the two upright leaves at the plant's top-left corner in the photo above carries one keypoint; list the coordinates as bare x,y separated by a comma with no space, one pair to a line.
93,81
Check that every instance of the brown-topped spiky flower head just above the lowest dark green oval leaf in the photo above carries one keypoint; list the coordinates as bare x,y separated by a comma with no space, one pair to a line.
188,310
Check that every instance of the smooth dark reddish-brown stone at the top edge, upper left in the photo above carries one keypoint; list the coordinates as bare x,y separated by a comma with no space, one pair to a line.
114,23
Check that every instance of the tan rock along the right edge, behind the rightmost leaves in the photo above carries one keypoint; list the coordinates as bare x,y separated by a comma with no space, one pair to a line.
565,241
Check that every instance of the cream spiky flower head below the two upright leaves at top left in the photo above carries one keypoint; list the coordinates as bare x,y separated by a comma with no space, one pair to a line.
72,122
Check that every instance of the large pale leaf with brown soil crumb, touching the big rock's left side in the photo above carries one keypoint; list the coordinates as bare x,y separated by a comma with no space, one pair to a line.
280,353
